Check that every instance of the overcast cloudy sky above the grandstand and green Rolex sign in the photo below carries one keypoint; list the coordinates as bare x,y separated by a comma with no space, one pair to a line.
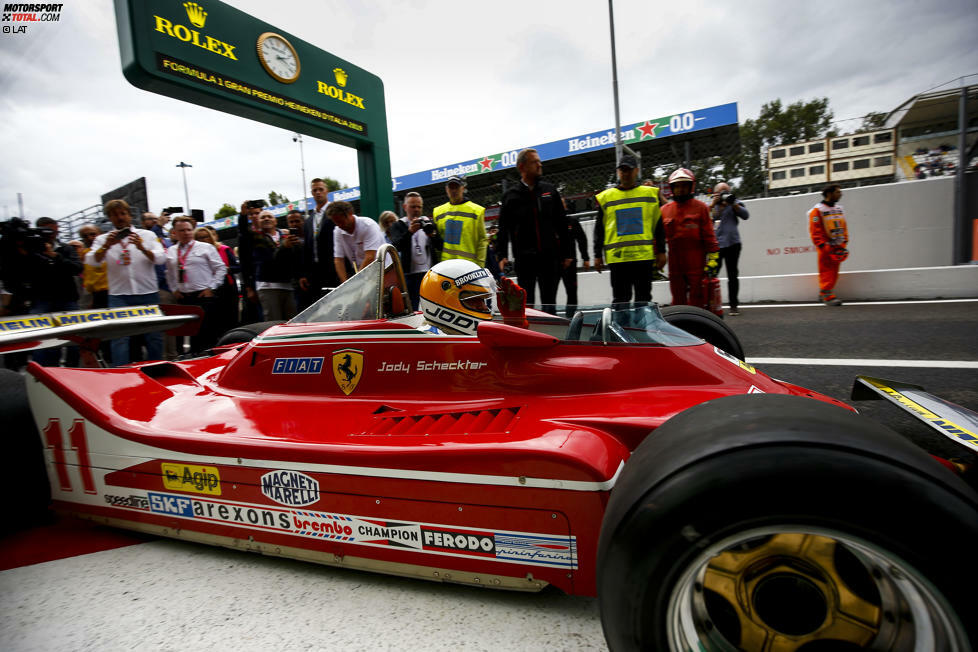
463,79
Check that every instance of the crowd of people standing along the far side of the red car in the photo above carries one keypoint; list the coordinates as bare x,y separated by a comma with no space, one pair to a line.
274,273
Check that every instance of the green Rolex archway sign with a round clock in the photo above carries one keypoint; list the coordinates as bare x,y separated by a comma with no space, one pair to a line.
214,55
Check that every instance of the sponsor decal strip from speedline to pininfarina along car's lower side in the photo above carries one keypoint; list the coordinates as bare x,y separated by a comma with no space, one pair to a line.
533,549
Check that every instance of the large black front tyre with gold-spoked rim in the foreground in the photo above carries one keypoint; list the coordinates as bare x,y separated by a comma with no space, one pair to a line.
771,522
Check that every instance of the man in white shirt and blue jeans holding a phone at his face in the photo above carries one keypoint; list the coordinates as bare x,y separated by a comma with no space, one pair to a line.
130,255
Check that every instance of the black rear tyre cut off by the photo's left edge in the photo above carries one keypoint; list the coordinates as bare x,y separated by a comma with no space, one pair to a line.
25,476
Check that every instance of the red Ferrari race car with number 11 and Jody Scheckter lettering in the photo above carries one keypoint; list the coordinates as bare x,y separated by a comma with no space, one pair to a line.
707,505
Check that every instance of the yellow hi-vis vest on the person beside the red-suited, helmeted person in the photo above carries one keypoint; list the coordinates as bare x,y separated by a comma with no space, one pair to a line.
630,218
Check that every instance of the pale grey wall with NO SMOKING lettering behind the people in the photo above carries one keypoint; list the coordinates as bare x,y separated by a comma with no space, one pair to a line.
900,244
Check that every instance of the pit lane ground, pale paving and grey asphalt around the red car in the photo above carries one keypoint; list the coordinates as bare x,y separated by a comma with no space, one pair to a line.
148,594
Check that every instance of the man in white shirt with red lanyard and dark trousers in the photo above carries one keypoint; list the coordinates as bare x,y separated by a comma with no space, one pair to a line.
194,272
